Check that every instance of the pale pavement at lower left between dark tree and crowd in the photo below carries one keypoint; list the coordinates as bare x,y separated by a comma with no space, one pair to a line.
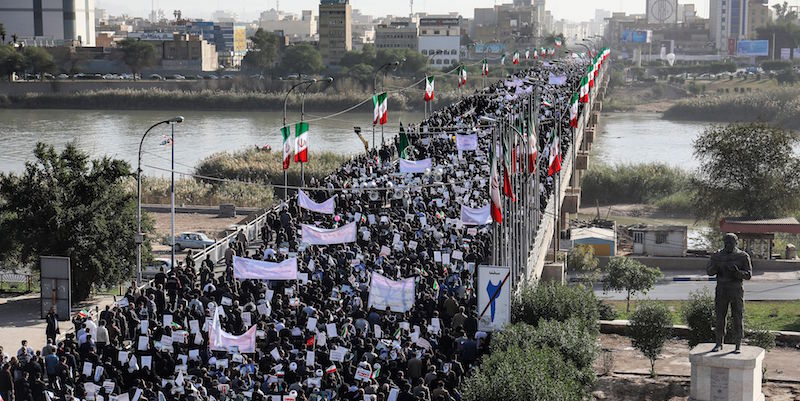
20,319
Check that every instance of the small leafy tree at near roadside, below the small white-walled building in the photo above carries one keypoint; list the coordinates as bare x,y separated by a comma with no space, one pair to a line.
631,276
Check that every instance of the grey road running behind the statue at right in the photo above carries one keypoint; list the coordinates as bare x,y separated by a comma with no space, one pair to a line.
777,290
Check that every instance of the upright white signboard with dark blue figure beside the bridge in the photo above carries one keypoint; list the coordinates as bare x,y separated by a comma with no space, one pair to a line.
494,297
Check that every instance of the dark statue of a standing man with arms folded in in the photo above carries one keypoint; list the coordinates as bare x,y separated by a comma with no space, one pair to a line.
731,265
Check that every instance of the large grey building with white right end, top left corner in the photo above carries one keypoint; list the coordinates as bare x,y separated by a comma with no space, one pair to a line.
51,22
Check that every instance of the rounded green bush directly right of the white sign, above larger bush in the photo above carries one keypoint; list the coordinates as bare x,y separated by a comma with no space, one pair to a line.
551,301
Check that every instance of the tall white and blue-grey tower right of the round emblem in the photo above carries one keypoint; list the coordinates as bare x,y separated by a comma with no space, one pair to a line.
728,23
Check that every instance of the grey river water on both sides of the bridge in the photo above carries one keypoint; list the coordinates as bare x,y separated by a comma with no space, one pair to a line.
622,137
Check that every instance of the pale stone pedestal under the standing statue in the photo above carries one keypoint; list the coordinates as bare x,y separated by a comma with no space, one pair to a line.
725,376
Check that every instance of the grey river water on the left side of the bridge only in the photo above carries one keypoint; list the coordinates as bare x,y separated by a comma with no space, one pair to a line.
117,134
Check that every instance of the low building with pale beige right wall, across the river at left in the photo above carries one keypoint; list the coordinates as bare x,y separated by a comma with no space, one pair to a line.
190,53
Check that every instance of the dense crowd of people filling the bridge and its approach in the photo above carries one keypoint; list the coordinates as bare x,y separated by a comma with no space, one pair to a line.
317,337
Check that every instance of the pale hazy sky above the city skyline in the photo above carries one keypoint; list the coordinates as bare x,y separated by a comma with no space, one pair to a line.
574,10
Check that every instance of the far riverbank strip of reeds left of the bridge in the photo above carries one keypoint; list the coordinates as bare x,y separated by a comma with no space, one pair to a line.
212,100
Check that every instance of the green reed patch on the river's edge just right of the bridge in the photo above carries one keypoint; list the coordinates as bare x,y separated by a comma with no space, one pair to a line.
632,183
